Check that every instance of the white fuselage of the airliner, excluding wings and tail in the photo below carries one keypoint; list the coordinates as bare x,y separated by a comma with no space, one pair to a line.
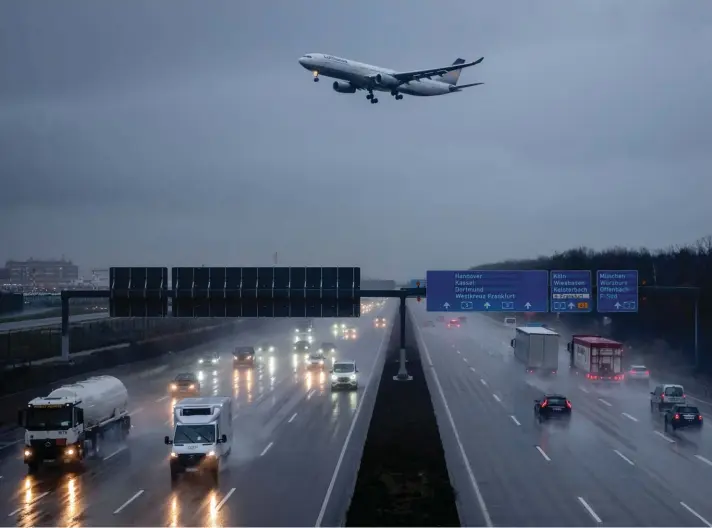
358,74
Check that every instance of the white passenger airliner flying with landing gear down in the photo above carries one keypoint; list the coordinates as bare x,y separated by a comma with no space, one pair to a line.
355,76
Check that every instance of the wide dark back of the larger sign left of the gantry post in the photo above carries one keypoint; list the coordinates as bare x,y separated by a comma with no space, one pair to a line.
266,292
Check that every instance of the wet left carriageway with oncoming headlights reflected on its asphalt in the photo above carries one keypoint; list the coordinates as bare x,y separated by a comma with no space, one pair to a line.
290,435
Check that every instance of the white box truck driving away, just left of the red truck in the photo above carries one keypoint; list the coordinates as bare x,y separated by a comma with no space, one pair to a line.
537,348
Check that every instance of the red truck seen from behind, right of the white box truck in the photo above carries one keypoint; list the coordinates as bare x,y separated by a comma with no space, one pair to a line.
598,358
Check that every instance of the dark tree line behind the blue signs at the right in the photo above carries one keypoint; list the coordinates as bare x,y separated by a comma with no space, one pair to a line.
664,313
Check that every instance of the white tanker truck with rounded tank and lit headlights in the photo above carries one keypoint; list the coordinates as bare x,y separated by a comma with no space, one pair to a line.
68,425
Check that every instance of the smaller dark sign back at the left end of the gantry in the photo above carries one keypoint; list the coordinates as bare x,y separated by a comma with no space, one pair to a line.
138,292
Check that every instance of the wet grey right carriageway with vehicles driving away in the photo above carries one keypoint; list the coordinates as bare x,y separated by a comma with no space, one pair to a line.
612,465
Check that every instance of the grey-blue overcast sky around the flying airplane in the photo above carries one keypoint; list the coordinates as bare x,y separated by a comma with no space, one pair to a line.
180,133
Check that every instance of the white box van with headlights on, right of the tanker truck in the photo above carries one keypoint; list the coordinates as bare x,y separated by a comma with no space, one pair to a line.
202,438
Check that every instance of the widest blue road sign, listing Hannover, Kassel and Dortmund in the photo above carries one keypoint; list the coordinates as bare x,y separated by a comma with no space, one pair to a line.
488,291
